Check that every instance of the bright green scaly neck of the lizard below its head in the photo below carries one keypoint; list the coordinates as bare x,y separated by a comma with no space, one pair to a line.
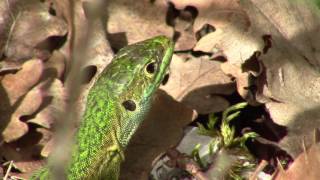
104,133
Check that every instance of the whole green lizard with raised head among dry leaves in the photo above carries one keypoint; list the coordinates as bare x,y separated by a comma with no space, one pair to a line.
116,105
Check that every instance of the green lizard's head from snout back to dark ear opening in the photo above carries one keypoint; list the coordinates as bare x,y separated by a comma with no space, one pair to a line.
138,69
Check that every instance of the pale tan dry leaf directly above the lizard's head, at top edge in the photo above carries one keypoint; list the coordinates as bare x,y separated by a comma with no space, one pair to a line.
136,20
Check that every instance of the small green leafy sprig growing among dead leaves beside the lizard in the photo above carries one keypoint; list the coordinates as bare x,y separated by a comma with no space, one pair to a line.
223,138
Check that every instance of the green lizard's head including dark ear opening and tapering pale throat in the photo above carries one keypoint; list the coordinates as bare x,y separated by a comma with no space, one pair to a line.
133,77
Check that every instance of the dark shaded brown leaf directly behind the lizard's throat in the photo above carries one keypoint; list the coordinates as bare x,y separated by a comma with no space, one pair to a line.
155,136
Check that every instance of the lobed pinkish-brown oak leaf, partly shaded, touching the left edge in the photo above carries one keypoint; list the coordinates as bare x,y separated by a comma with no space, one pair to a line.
14,88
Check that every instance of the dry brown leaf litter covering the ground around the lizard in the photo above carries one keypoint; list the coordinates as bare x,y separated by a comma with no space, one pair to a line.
269,52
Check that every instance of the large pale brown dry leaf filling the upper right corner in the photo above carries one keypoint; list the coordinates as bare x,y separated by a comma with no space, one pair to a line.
285,33
